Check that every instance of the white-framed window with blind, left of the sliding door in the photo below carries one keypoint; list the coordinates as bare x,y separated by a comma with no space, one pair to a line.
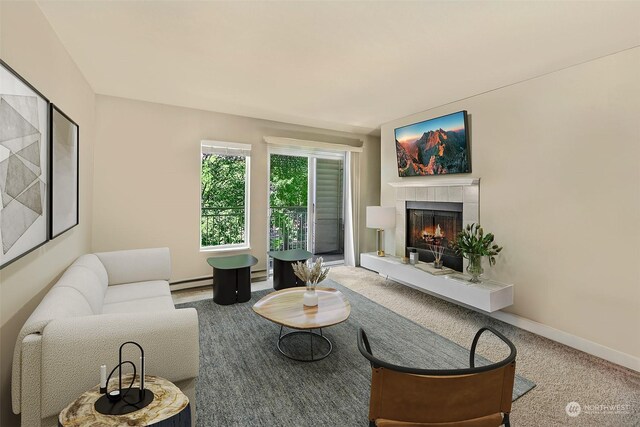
224,195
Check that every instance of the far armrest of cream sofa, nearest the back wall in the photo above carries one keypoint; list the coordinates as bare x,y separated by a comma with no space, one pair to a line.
137,265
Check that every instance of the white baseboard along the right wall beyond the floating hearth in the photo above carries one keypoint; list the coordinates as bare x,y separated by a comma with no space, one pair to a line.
573,341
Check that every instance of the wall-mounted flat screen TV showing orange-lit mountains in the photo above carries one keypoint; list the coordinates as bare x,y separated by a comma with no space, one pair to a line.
437,146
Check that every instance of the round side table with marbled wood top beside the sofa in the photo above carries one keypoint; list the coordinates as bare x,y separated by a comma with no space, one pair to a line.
170,407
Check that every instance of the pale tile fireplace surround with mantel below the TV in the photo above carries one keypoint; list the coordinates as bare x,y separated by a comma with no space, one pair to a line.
459,190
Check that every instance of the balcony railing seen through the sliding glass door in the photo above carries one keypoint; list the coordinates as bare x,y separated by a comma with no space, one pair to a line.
287,228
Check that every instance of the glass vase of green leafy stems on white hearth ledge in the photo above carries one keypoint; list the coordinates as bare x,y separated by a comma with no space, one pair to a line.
473,244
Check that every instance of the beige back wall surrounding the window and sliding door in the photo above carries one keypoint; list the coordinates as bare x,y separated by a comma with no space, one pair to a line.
147,177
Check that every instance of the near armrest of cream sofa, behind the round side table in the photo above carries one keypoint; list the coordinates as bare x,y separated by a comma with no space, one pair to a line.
74,348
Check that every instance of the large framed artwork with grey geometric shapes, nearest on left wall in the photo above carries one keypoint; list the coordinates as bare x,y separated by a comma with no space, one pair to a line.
24,174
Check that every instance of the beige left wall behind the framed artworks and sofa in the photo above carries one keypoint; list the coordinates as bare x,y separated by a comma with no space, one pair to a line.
30,46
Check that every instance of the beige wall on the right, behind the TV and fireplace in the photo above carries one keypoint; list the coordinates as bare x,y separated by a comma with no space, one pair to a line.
559,162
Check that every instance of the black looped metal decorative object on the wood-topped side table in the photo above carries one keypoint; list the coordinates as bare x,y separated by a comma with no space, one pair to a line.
123,401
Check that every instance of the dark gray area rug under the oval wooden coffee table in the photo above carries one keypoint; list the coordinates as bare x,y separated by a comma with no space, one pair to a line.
245,381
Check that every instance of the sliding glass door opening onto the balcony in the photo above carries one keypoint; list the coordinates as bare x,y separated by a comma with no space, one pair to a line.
306,203
